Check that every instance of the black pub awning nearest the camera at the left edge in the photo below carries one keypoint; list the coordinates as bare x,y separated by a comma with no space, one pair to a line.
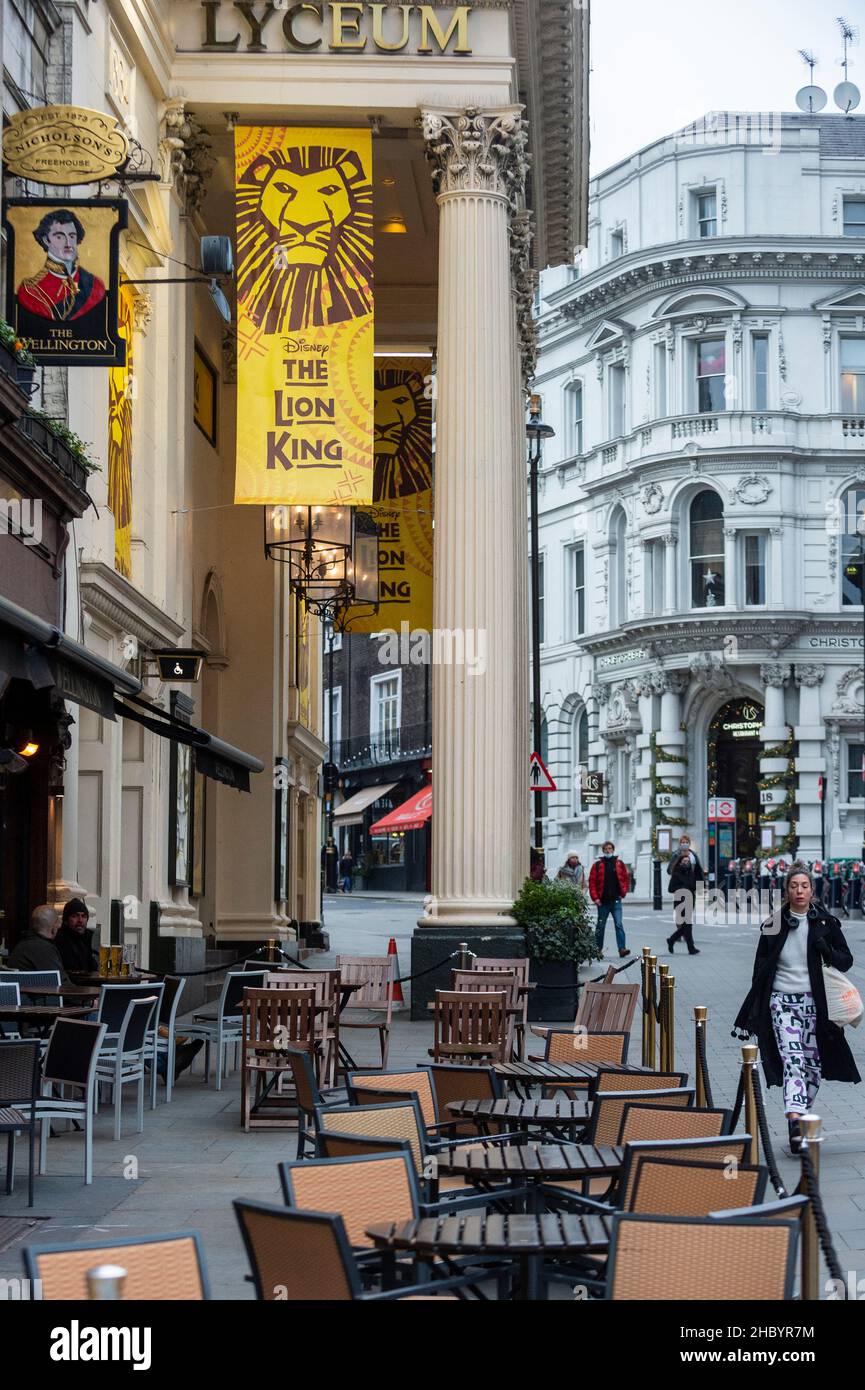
41,654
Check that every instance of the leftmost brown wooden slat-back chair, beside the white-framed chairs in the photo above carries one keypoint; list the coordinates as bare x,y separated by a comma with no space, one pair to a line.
273,1020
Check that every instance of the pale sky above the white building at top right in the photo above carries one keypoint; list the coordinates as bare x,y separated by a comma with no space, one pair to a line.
660,65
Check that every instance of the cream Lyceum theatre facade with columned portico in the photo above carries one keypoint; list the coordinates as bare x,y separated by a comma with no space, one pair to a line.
478,122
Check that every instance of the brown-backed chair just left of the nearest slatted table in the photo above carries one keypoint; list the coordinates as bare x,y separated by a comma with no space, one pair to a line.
307,1257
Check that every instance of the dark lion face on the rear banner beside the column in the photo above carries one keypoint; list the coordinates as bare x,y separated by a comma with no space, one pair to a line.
404,434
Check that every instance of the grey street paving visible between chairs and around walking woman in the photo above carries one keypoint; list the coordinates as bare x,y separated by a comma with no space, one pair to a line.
193,1157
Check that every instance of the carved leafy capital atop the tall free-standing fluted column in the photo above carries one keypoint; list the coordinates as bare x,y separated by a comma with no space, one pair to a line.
478,152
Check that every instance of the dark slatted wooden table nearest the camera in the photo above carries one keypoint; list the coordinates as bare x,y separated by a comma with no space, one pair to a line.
526,1241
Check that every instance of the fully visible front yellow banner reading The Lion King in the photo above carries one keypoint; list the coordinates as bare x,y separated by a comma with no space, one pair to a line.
305,316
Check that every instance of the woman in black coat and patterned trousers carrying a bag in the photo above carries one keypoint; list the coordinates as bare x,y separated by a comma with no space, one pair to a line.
788,1008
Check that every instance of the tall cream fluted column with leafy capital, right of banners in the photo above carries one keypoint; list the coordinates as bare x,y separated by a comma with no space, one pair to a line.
480,719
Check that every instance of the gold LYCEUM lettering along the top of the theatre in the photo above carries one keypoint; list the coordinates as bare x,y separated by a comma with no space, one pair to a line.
334,28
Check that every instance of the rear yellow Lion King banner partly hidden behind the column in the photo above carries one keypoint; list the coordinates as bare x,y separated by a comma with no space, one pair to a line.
404,497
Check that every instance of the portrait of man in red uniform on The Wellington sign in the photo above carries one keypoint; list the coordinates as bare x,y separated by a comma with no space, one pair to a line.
63,291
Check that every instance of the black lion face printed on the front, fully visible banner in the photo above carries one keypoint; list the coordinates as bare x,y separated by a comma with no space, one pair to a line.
305,238
